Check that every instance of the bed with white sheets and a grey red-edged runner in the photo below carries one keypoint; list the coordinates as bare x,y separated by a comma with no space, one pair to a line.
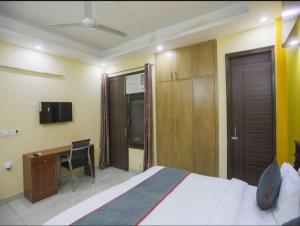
191,199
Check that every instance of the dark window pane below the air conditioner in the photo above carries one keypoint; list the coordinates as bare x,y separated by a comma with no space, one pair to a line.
136,120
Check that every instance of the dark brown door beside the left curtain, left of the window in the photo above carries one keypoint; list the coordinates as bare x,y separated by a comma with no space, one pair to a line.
118,123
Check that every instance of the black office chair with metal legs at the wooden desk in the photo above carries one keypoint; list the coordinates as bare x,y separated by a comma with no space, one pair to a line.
79,156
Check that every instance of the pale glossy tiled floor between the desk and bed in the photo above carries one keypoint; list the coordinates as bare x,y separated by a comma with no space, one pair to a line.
23,212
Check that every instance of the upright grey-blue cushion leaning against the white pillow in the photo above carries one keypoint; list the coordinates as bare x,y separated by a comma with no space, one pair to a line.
268,187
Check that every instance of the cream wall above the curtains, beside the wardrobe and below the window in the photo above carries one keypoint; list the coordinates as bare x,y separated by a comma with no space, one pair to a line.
136,156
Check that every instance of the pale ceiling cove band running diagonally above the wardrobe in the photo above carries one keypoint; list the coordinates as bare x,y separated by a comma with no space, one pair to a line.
179,30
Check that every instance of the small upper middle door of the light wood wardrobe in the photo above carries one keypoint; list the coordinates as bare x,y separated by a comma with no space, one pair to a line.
182,63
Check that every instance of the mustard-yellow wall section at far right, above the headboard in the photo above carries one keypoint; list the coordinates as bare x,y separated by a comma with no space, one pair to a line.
293,78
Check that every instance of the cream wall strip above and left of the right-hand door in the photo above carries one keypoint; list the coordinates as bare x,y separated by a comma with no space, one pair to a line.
251,39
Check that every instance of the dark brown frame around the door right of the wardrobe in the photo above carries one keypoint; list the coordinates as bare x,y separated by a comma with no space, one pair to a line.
228,57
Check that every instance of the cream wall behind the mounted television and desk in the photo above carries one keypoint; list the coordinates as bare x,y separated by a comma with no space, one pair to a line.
20,94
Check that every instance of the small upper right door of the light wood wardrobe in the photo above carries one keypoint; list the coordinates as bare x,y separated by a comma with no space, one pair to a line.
203,58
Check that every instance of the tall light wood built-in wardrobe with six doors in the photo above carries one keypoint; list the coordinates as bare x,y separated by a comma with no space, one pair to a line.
186,110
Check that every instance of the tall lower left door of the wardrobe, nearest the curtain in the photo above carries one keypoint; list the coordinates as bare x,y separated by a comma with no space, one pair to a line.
165,123
